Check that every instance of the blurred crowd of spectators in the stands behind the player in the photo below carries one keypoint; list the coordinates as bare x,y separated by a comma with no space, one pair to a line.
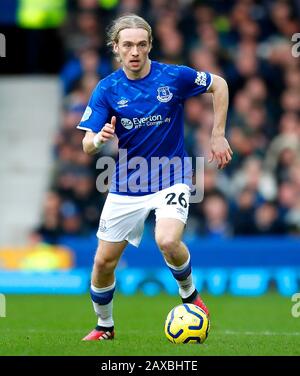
249,44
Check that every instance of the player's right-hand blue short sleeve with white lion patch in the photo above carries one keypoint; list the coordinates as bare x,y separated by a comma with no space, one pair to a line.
192,82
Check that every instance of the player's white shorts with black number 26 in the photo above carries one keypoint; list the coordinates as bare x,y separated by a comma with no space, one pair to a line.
123,217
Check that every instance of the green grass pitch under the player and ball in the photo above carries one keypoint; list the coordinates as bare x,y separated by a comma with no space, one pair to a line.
54,325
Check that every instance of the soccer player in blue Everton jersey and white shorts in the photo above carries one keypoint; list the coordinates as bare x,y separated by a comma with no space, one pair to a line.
142,104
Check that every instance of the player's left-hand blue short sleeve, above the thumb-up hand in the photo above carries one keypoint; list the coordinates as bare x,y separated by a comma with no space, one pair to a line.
96,113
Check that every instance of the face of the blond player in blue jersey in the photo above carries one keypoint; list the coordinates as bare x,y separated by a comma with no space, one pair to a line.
133,48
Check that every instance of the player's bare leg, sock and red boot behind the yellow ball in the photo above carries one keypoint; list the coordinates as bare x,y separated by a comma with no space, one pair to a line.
168,236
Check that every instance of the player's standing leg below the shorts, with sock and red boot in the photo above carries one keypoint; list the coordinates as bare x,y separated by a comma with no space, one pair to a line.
103,287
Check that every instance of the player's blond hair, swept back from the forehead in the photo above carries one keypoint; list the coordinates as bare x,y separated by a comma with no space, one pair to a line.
128,21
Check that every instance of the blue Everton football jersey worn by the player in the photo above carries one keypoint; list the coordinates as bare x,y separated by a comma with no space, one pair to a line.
149,126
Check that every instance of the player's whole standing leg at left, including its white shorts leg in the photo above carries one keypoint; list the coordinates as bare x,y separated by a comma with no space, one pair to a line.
122,222
